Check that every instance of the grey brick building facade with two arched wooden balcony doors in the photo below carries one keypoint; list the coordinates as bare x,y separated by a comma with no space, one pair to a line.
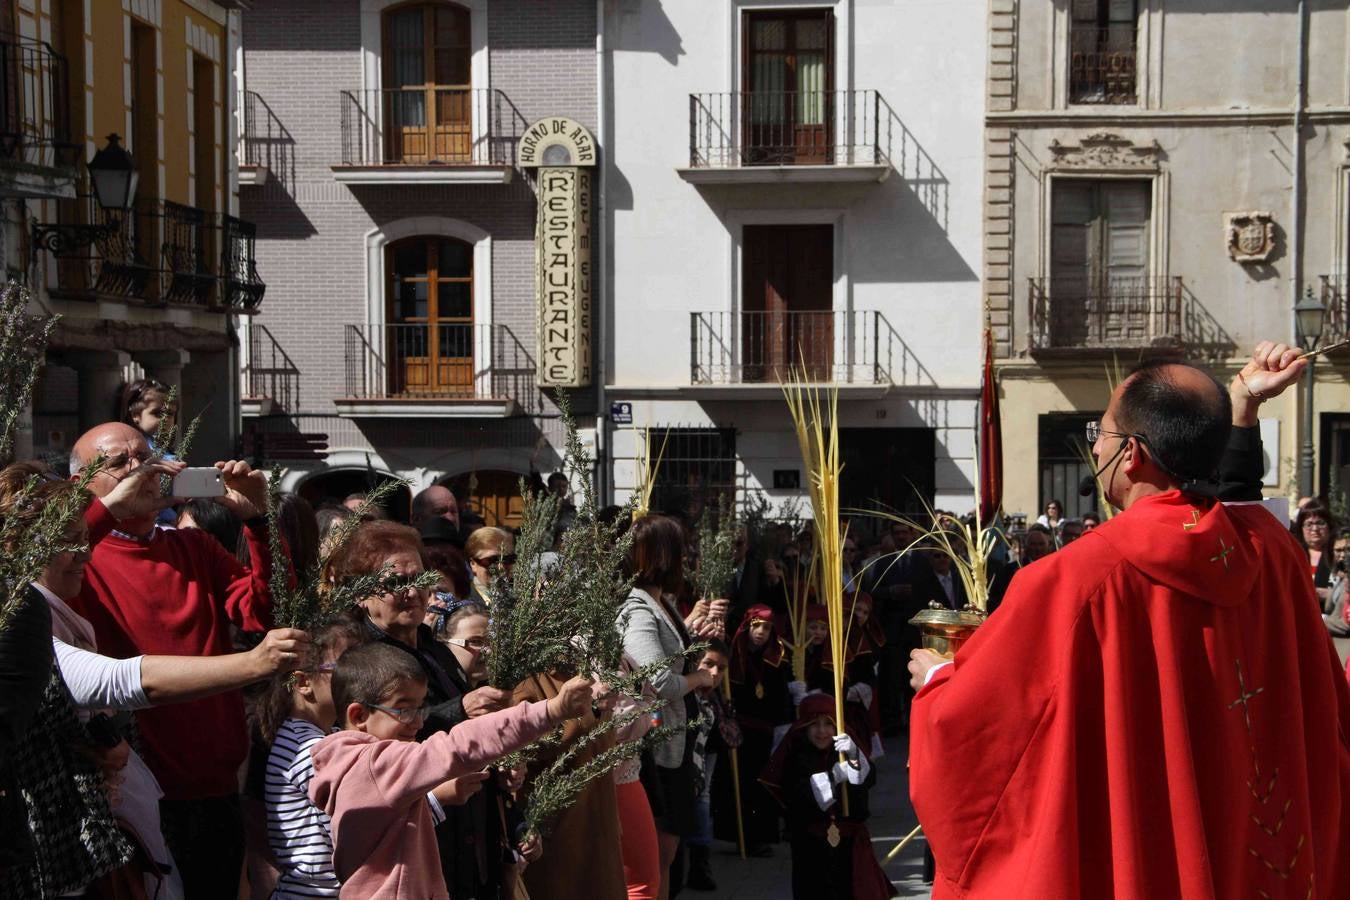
349,169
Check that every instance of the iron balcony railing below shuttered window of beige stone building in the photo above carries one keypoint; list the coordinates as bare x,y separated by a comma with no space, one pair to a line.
1120,314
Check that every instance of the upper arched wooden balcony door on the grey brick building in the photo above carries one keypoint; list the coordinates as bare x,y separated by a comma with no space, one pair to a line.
429,92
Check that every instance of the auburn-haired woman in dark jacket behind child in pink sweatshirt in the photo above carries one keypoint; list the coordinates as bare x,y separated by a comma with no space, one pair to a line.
398,619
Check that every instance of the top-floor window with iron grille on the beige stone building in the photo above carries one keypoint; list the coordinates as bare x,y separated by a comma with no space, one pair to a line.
1104,48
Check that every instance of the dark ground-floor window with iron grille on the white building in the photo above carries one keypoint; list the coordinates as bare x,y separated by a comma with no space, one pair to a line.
699,466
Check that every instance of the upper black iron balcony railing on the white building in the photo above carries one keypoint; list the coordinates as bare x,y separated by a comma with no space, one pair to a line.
789,129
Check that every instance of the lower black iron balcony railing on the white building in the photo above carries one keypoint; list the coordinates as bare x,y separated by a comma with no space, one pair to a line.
848,347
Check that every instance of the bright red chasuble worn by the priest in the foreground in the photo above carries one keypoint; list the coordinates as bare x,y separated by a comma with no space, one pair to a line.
1154,712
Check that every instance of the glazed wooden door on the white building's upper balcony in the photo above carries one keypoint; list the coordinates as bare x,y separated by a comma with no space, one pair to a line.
789,83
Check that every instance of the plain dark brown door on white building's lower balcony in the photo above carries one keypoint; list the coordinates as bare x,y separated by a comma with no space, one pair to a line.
788,302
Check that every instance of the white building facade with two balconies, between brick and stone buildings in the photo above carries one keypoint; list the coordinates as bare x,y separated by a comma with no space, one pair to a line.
793,184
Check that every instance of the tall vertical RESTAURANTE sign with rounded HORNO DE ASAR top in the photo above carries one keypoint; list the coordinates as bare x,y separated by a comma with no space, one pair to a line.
564,153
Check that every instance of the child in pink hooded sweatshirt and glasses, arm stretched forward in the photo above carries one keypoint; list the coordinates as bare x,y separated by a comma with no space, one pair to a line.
372,779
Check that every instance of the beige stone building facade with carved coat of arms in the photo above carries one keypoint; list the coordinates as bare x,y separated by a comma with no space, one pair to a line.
1162,180
